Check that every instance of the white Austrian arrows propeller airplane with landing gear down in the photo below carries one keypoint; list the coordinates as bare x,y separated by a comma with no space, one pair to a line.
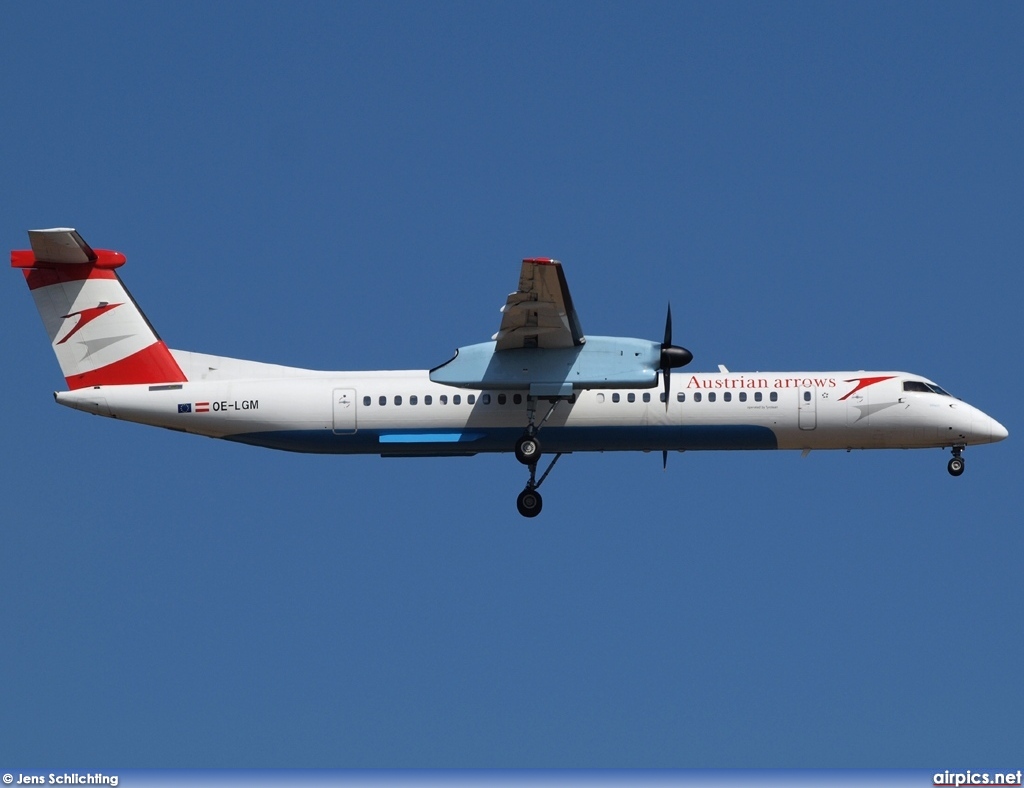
540,385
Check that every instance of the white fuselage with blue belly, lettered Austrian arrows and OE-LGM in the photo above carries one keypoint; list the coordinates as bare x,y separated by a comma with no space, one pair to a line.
405,414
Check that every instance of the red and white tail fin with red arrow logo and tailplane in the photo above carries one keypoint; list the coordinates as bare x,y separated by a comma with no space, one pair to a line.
99,334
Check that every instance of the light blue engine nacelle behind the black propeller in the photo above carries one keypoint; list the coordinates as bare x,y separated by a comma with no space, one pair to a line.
604,363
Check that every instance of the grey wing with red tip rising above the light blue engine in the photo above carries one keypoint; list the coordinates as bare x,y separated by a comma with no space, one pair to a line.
540,315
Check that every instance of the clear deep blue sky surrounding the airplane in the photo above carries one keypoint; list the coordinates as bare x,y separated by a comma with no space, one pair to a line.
339,186
